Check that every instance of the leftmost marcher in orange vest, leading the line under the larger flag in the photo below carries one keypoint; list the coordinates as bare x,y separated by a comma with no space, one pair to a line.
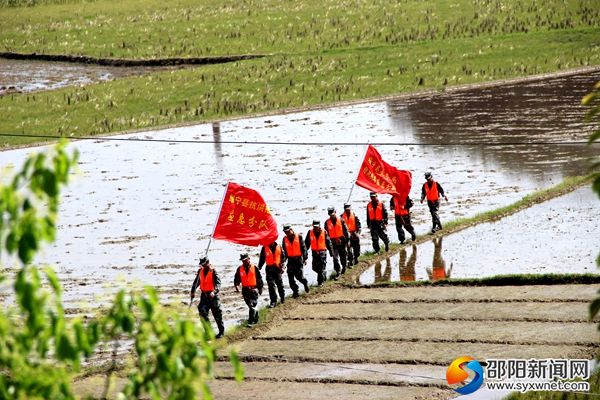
209,284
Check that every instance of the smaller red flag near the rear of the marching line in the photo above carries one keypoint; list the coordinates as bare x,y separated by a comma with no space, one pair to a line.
379,176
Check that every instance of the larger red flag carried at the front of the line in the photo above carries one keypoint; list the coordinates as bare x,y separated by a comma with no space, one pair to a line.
245,218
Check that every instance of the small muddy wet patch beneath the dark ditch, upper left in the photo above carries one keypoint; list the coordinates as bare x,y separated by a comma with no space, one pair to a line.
29,76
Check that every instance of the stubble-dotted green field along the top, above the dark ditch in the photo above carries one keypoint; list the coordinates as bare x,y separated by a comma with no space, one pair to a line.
184,28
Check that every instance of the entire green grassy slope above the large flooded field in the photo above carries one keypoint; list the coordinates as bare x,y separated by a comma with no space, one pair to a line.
321,52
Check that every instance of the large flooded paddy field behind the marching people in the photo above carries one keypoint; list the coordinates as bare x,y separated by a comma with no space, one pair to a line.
143,212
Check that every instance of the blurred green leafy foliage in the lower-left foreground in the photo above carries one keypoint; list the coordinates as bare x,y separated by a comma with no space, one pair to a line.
40,349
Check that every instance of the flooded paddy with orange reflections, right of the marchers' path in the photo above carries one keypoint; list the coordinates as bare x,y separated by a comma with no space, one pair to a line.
558,236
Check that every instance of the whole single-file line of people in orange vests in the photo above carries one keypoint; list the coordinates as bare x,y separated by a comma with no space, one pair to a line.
340,238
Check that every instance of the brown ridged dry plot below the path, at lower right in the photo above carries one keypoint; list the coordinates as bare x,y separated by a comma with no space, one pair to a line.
397,342
